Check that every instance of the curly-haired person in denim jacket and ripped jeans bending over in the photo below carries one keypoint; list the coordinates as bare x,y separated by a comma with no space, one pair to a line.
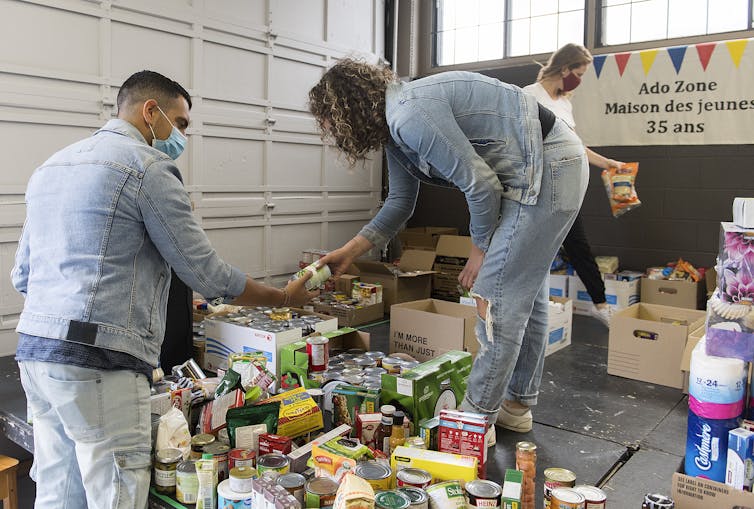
523,173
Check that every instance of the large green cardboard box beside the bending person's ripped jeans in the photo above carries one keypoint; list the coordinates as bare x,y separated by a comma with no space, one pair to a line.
429,387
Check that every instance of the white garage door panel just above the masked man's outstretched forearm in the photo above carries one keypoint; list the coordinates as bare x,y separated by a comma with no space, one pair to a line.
241,247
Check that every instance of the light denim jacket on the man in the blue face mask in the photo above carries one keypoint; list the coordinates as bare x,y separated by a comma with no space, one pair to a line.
106,219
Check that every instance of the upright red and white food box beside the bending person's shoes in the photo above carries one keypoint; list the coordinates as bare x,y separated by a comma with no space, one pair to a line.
464,433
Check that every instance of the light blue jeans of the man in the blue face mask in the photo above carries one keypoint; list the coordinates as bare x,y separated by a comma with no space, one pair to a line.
92,438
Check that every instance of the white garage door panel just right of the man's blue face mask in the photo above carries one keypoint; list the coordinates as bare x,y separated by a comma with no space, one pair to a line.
237,161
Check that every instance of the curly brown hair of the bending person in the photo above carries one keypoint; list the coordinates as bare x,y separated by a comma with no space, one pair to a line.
348,104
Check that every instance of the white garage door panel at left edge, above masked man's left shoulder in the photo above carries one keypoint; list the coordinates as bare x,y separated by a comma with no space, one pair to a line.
21,157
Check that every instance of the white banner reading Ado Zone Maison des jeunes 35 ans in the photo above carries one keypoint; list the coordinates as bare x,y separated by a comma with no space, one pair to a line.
699,94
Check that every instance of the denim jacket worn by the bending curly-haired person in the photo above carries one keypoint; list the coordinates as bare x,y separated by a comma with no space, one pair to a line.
463,129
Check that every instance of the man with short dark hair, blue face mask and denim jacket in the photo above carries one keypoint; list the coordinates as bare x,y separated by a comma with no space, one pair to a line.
106,219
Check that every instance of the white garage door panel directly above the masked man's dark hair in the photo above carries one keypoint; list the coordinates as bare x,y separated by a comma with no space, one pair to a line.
136,48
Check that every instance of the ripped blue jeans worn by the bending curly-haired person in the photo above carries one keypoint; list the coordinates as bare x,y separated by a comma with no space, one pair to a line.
513,280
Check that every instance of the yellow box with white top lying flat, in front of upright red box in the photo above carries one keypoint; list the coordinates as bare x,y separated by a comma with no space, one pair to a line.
442,466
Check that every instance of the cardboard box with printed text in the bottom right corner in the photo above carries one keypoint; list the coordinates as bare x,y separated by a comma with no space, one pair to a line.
698,493
